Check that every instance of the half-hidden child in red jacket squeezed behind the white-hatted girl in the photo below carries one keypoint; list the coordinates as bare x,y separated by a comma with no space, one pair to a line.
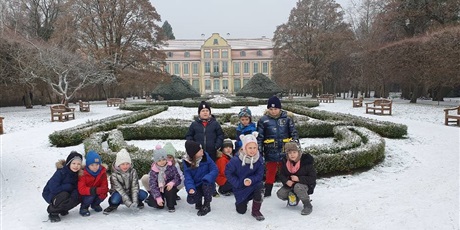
224,156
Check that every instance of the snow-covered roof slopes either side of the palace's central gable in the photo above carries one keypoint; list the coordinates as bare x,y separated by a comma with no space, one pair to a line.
237,43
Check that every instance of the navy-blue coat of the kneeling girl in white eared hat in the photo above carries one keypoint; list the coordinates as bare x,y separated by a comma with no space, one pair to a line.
236,173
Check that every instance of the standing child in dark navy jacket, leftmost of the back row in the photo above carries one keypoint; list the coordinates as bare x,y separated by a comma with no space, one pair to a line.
206,130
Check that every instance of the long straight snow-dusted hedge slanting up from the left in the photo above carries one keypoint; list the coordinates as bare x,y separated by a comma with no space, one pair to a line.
76,135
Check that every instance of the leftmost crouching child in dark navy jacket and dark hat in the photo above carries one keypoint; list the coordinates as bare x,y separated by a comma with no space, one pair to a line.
61,191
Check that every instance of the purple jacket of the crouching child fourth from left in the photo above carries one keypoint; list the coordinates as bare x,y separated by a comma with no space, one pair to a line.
171,174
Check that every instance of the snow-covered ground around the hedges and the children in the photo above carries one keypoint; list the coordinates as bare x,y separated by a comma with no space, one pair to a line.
416,187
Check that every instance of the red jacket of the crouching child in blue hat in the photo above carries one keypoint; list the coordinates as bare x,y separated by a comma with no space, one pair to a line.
86,181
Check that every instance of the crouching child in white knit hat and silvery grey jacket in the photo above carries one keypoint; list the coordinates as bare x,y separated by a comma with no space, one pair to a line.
124,184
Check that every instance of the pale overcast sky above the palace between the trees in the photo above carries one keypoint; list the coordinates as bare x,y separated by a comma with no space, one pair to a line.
239,18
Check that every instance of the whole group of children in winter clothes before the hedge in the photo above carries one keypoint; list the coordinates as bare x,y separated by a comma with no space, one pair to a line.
269,147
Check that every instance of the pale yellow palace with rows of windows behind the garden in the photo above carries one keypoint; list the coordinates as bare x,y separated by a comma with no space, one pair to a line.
217,65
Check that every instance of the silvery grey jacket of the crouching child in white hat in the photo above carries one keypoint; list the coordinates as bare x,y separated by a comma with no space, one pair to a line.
125,183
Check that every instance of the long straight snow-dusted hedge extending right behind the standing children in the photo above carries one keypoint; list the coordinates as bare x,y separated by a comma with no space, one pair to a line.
384,128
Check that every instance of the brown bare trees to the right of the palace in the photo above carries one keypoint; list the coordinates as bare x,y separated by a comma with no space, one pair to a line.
410,46
